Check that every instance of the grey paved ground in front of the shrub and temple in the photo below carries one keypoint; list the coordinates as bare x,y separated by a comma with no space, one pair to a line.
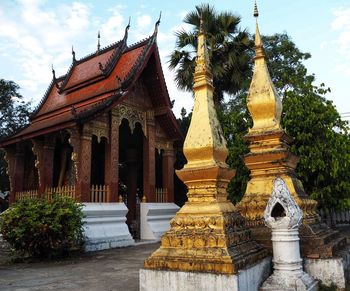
115,269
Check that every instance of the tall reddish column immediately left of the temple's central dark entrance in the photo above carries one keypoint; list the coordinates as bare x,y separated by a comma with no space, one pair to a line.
112,159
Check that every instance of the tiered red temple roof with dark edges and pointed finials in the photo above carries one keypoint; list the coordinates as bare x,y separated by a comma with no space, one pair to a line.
96,83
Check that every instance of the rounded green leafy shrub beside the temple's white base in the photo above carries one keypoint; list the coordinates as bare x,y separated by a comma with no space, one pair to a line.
42,228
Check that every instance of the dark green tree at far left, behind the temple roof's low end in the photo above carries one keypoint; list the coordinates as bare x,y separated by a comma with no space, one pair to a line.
14,113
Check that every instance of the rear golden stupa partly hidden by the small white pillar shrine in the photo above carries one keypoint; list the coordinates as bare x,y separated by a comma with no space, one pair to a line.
270,157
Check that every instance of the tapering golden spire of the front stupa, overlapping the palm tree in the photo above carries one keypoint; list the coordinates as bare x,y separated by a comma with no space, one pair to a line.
205,135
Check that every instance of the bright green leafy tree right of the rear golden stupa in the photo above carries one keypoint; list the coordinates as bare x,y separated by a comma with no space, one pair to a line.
322,142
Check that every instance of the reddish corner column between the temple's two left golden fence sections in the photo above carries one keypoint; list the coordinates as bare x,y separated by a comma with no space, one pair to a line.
83,186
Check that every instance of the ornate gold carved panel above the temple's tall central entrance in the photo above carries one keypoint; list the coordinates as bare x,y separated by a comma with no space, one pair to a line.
133,115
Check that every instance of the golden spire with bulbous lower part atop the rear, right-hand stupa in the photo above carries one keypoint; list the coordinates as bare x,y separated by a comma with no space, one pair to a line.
264,103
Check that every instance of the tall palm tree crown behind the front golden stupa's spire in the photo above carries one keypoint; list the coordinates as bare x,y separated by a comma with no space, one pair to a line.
228,47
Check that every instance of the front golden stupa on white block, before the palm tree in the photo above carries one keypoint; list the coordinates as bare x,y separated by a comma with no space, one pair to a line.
207,234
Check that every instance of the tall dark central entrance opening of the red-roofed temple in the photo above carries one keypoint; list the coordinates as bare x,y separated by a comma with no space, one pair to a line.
131,173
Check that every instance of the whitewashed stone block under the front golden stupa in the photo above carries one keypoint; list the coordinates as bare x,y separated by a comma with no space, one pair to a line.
248,279
